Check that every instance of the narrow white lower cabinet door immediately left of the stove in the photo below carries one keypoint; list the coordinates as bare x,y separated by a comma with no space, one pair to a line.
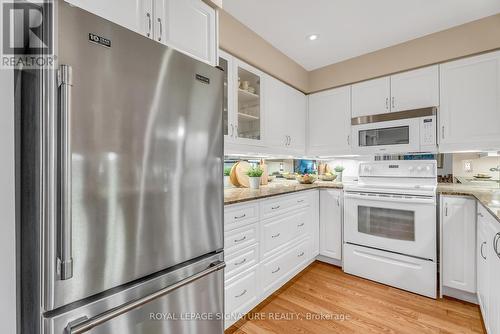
330,220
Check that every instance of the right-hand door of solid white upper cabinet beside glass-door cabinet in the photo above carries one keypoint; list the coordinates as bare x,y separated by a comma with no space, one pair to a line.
295,120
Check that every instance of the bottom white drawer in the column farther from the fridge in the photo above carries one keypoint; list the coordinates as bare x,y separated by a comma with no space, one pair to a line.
275,271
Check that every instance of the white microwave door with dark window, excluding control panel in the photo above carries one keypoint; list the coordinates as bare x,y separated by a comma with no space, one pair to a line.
387,137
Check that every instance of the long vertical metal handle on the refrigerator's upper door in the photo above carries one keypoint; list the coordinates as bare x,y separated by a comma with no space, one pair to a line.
64,252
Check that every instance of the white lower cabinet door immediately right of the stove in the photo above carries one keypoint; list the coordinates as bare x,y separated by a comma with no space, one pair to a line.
459,243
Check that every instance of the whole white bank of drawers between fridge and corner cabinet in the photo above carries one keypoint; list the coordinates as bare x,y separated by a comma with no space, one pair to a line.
267,242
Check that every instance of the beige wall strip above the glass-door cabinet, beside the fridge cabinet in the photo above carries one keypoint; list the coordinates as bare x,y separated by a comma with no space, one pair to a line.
243,43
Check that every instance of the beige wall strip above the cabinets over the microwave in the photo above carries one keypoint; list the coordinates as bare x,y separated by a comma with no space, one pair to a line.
471,38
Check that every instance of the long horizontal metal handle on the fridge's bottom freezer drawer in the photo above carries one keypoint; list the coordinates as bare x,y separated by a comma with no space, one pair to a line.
86,325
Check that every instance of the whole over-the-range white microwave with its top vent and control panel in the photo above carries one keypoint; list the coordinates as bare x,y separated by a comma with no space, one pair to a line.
398,132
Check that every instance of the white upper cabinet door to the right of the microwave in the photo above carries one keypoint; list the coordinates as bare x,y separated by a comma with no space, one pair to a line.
470,103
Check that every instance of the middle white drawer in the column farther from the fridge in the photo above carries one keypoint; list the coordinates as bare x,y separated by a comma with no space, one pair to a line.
280,230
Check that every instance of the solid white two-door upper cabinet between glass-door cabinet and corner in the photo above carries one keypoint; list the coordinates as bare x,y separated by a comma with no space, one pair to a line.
286,110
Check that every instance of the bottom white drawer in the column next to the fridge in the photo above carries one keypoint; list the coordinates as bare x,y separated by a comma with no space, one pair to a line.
241,292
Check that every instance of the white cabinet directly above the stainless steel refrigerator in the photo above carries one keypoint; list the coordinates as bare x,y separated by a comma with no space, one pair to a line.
187,25
